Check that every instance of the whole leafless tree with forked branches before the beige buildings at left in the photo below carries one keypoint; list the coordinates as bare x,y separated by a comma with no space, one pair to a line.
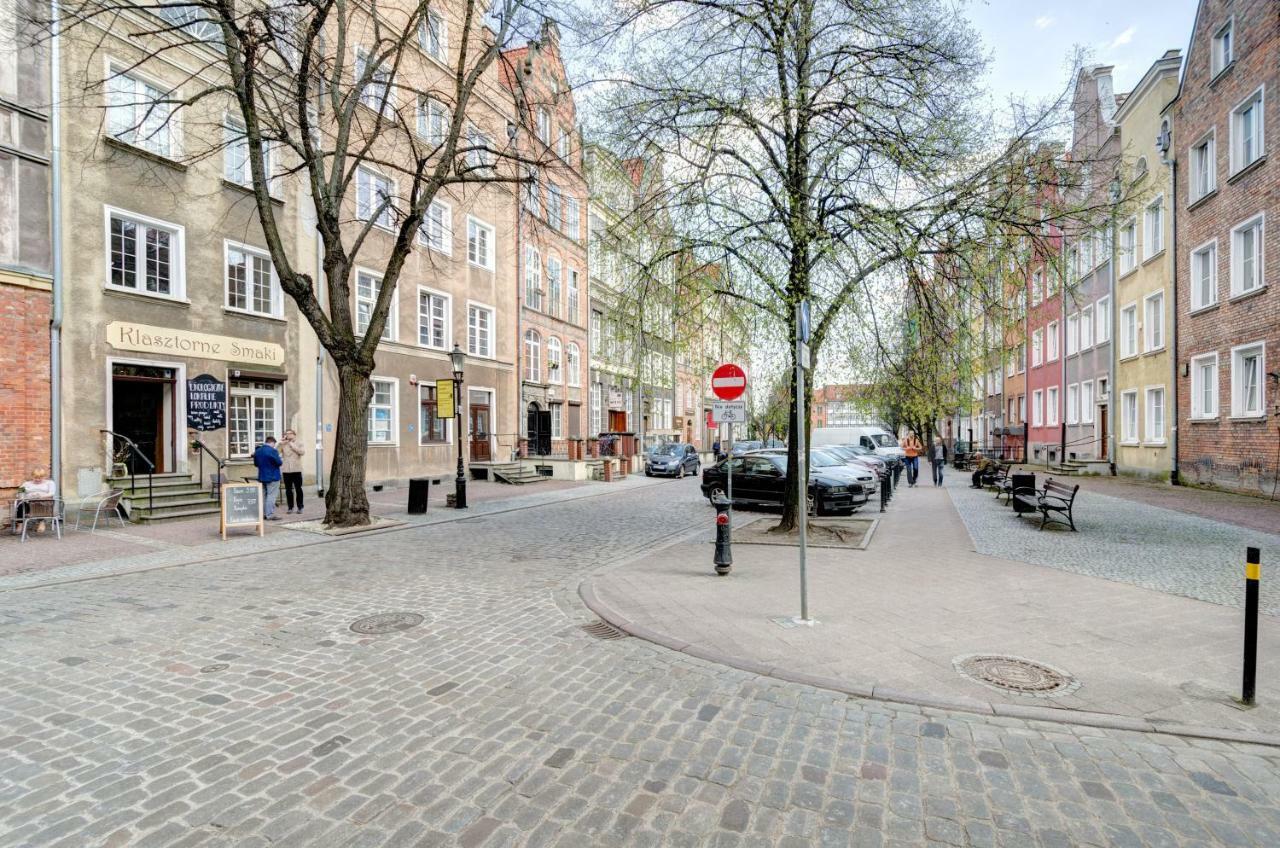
323,92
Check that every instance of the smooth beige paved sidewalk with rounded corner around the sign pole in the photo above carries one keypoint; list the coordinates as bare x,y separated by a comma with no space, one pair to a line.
897,617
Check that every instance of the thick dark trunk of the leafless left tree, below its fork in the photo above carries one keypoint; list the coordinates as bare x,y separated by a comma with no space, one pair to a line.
346,503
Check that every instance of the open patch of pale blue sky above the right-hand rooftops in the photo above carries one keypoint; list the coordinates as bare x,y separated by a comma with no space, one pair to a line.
1031,44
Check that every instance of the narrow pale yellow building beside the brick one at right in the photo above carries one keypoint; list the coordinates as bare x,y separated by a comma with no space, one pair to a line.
1145,413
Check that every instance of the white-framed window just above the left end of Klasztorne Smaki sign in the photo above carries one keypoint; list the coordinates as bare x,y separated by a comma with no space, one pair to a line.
147,256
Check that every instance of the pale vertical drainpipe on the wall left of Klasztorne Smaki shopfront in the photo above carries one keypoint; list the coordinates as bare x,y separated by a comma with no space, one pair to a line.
56,326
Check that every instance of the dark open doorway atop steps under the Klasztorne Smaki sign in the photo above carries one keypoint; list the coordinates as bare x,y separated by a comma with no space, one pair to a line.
144,411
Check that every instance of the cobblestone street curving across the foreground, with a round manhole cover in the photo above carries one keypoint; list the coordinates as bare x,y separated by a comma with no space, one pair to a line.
230,704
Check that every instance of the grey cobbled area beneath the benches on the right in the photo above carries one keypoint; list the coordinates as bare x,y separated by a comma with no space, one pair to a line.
1128,541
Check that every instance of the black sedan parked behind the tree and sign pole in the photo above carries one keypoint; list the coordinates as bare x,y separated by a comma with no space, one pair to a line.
761,480
